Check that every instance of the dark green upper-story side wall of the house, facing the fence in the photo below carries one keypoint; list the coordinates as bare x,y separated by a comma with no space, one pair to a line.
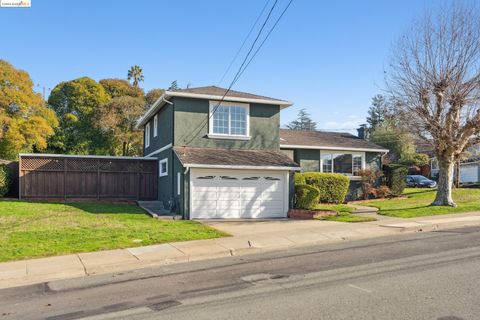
164,130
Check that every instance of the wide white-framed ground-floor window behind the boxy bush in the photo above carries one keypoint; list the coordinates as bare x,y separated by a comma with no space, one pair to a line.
344,163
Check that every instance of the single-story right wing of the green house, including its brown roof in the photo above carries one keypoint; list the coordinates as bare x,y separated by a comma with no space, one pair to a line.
335,152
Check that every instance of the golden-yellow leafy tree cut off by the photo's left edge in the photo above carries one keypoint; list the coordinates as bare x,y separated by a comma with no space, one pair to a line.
25,120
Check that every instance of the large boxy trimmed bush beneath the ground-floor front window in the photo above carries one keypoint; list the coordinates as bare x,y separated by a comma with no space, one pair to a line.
333,187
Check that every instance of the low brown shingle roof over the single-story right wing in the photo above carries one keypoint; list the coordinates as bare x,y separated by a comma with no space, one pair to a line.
325,139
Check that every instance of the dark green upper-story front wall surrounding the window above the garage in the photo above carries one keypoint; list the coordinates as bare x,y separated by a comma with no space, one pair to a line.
191,126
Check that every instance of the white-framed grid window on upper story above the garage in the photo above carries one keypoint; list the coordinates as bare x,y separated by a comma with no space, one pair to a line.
229,119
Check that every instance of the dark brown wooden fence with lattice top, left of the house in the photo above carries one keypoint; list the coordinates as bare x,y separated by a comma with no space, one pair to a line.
87,177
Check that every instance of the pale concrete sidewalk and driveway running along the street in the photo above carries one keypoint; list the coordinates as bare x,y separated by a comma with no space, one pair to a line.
247,237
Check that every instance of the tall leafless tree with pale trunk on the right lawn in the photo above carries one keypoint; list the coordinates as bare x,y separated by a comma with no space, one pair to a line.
435,77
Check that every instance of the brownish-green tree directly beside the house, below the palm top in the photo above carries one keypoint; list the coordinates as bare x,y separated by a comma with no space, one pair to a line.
117,119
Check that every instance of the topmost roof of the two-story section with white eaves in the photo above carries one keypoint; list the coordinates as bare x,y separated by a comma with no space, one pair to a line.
210,93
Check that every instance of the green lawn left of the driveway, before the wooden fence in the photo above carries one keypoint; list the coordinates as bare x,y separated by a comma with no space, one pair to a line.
33,229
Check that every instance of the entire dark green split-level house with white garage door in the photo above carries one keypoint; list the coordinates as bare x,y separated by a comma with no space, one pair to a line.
223,155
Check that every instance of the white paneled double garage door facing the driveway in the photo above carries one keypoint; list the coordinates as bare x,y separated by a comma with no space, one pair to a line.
234,194
